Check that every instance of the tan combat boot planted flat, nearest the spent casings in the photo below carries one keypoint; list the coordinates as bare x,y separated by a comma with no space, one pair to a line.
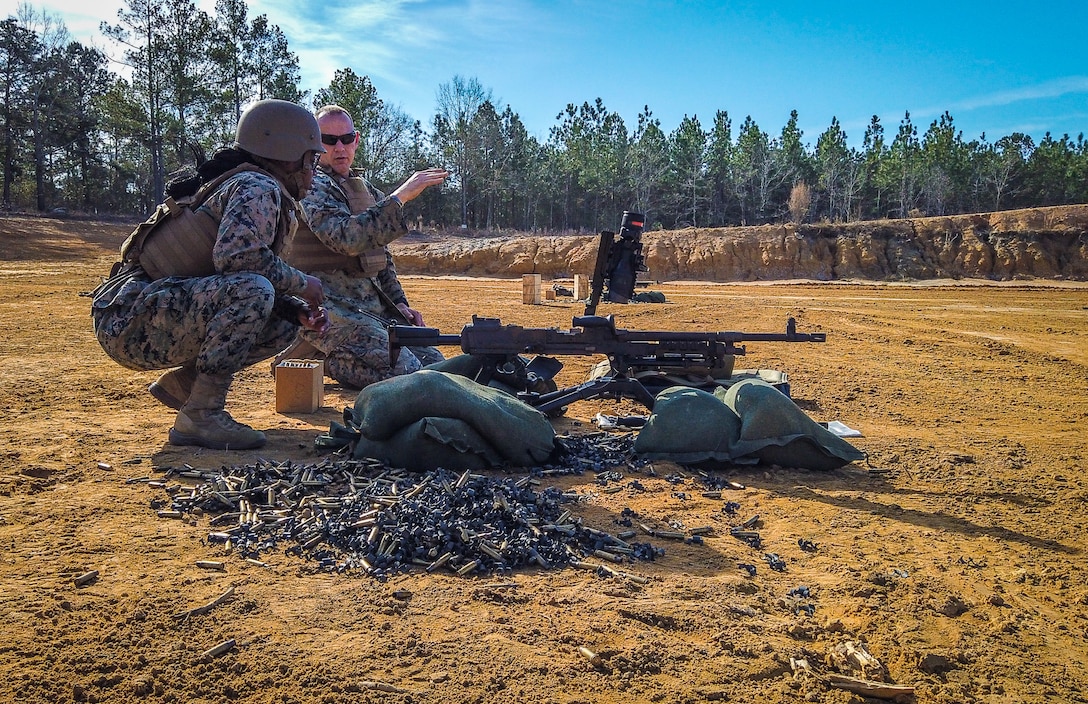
203,422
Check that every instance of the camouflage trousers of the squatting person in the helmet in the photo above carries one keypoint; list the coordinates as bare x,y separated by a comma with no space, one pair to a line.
220,325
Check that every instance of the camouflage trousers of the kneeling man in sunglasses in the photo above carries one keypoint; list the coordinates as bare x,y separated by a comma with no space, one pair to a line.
357,353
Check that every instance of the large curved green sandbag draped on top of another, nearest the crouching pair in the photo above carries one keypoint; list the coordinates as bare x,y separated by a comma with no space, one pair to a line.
521,434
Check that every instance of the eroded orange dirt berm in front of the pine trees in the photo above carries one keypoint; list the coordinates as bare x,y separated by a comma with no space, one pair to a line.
1037,243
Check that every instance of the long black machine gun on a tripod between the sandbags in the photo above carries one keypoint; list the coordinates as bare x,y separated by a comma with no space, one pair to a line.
501,348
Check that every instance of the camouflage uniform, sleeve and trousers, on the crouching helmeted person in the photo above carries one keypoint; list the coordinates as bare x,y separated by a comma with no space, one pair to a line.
219,324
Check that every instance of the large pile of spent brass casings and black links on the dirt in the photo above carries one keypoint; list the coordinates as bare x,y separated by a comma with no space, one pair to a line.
364,517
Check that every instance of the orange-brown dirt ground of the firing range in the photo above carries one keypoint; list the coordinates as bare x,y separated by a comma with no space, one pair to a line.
955,557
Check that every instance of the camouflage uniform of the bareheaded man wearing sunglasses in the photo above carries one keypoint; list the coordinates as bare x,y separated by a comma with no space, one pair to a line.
356,344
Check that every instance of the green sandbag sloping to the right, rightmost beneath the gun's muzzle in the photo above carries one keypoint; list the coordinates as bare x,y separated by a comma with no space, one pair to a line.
776,433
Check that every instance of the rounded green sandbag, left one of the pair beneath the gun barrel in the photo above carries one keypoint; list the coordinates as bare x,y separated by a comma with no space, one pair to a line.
689,427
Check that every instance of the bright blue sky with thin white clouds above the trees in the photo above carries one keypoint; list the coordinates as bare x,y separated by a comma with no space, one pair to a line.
997,67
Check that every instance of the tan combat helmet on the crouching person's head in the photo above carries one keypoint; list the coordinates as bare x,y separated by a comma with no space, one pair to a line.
278,130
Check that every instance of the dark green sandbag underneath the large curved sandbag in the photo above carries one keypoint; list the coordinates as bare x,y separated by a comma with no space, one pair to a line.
430,443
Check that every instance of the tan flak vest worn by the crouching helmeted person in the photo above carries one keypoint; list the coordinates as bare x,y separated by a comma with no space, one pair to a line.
179,238
